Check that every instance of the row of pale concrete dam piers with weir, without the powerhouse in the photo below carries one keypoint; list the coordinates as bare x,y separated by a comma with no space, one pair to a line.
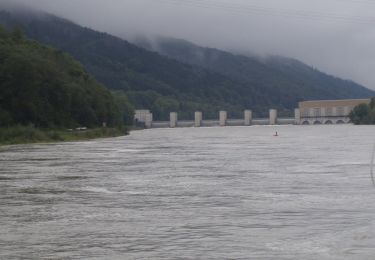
145,118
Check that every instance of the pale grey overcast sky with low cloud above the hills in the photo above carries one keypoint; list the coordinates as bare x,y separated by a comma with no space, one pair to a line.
335,36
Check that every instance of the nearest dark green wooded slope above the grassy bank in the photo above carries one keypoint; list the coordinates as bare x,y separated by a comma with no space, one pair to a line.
46,88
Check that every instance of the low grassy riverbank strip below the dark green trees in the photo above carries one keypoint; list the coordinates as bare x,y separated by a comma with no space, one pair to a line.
28,134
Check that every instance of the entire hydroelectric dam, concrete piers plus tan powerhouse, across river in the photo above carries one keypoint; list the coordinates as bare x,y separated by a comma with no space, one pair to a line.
307,113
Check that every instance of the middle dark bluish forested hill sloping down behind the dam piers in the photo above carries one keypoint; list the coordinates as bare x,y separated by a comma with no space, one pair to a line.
149,79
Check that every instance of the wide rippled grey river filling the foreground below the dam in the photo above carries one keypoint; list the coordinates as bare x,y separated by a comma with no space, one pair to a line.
192,193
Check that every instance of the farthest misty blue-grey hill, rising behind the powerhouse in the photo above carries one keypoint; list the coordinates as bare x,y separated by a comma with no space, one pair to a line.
273,74
